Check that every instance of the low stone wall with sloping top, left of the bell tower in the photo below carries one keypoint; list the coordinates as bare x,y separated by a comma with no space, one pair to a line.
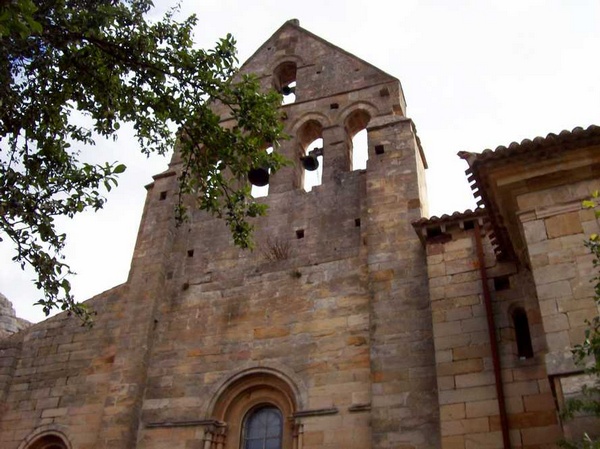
57,376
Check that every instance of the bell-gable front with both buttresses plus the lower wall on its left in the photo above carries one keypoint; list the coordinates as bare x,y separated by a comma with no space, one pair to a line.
328,318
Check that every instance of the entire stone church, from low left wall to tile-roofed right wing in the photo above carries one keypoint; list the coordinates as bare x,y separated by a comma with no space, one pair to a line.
357,323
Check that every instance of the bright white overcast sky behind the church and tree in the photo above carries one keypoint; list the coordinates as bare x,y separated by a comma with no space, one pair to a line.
476,74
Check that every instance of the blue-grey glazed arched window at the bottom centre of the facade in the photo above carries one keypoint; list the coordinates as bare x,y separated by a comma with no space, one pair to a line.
263,428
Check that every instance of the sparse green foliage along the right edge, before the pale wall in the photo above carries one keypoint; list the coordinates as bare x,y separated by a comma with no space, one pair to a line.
587,354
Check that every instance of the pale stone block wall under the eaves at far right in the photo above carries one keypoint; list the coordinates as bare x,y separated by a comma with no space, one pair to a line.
555,227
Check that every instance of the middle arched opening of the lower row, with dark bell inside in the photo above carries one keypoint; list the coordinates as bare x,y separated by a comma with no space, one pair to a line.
310,154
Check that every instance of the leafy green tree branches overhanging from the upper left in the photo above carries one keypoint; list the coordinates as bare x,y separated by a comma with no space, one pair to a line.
106,60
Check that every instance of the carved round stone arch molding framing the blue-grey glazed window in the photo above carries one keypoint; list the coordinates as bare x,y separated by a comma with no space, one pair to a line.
251,390
